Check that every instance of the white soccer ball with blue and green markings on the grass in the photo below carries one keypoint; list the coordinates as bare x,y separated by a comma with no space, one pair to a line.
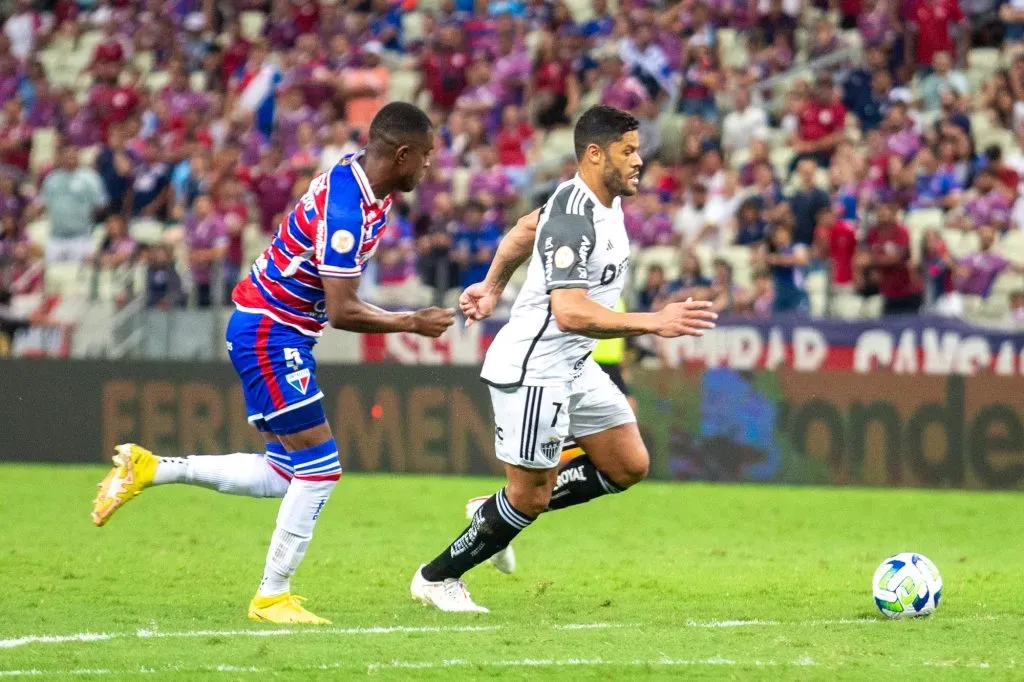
907,586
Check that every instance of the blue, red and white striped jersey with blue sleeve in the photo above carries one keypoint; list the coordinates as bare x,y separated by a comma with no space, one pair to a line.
331,233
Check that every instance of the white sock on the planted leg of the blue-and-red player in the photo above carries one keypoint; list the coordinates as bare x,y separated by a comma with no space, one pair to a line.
298,515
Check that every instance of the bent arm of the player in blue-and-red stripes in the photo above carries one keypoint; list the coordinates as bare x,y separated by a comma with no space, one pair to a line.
347,312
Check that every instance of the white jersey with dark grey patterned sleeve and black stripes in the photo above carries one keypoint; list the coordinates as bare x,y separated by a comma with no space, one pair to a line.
580,244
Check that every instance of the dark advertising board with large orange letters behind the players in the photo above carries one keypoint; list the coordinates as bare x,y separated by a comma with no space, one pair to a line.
708,424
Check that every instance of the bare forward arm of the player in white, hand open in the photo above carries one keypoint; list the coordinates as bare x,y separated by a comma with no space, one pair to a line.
577,314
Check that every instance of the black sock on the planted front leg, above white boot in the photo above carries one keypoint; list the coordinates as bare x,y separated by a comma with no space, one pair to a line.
492,529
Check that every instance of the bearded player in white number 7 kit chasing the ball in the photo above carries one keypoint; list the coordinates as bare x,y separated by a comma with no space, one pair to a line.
544,383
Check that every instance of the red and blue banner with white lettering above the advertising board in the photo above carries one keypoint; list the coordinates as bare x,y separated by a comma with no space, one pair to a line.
903,346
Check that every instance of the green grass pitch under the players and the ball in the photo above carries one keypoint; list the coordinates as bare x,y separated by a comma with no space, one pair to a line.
666,581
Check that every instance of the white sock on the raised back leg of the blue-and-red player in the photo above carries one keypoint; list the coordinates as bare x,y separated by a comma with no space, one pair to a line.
241,474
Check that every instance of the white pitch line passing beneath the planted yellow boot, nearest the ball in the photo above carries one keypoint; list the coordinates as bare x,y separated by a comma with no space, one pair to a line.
27,641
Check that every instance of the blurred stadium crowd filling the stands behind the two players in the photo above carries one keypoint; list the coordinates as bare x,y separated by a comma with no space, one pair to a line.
800,157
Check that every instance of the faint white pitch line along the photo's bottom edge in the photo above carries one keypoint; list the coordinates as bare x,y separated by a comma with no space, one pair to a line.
661,662
